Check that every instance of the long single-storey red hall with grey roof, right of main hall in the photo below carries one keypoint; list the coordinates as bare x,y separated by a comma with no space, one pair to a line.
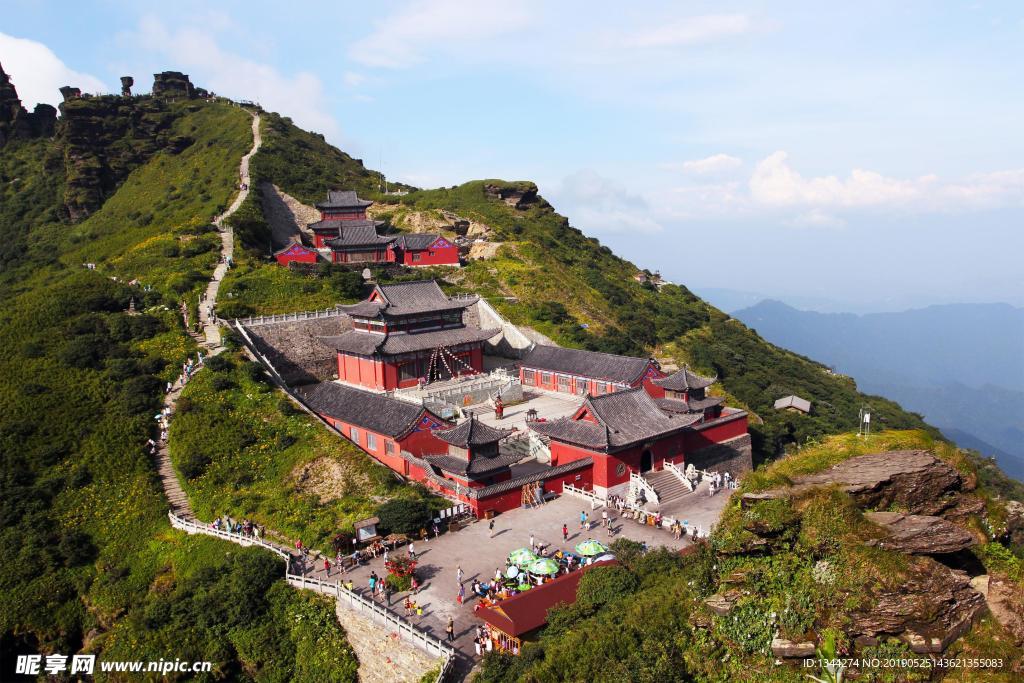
588,373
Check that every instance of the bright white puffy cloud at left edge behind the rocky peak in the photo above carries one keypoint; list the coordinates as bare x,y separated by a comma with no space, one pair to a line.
37,73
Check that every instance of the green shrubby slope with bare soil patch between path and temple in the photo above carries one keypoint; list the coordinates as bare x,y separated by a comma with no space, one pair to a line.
241,449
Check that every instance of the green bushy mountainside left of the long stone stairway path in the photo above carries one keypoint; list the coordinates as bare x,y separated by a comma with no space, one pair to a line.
91,564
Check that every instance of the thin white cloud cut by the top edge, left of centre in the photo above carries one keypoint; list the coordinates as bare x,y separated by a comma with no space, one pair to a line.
409,35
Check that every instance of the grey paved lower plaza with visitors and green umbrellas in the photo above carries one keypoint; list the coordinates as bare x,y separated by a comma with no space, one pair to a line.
479,554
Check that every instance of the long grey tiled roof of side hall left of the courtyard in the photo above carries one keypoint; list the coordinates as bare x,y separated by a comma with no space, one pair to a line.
373,412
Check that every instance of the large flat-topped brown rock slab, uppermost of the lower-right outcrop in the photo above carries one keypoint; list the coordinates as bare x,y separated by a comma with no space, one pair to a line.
914,481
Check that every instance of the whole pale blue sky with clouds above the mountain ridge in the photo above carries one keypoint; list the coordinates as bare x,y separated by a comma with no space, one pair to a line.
870,154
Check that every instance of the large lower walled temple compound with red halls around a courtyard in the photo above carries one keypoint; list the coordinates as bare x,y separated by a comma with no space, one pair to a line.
403,376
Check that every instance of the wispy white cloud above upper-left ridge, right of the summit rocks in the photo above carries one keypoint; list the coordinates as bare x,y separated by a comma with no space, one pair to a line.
301,96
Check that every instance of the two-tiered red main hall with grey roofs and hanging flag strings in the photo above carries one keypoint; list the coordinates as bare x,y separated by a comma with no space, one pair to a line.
407,334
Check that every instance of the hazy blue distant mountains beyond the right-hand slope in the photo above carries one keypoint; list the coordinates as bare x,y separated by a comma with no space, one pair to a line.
962,366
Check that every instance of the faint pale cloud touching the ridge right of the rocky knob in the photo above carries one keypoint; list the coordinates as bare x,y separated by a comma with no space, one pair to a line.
601,205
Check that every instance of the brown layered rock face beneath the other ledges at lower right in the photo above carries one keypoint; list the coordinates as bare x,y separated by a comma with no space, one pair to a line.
928,610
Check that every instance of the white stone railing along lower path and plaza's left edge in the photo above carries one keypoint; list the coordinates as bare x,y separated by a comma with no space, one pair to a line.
430,645
